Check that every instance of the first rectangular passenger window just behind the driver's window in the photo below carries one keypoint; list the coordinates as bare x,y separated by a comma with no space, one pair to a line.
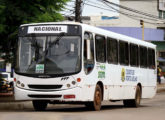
100,48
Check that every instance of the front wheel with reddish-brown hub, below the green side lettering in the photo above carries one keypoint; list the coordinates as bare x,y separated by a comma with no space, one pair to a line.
96,104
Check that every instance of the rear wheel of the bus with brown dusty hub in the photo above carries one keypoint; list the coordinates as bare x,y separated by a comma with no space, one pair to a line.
135,102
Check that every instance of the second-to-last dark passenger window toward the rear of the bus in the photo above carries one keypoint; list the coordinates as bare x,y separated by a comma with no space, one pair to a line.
143,57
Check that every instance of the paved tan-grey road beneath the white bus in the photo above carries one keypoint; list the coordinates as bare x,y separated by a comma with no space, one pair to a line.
151,109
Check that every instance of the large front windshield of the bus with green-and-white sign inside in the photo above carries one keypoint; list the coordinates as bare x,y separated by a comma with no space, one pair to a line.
55,55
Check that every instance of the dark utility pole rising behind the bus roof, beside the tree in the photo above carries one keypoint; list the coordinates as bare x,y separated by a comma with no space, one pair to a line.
78,10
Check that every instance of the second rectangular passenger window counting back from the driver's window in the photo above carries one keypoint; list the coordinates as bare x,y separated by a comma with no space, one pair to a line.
112,50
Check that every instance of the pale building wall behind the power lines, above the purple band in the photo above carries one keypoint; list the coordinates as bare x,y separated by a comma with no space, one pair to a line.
147,6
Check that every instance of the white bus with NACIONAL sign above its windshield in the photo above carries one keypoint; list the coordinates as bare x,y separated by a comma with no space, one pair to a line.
70,62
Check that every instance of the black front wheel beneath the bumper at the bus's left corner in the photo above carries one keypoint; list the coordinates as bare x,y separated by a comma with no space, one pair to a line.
39,105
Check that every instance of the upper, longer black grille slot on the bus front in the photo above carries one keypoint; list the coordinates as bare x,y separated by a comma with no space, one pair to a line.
45,86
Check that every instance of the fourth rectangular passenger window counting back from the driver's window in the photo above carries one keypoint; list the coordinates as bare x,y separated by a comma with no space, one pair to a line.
134,55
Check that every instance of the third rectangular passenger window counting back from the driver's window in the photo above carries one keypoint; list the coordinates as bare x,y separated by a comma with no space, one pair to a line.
123,53
